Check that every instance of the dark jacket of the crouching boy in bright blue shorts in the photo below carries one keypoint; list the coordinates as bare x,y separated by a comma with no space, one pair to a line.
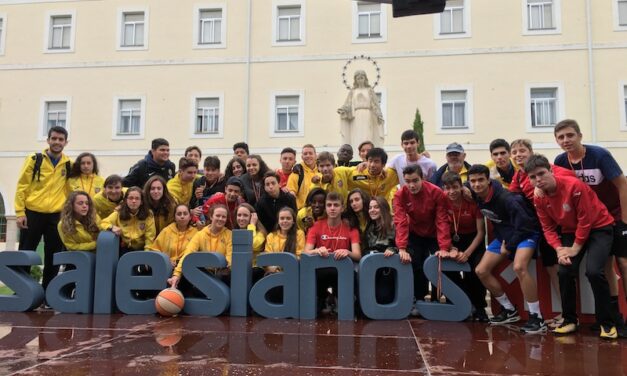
513,218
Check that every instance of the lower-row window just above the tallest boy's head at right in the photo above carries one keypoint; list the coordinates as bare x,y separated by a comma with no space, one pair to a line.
545,106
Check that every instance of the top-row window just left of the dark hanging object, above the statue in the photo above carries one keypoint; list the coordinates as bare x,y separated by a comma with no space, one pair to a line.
369,23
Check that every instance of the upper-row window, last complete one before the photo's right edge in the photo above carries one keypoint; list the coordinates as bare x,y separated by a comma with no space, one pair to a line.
541,16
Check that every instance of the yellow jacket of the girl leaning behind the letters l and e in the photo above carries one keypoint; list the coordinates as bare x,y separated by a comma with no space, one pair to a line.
136,234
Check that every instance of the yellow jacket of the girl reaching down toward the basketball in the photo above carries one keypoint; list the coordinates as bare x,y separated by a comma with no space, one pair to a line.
206,241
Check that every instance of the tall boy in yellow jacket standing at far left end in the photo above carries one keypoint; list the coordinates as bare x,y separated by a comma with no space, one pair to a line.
39,199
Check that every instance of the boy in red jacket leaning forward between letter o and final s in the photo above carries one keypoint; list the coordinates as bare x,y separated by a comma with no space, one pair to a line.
422,226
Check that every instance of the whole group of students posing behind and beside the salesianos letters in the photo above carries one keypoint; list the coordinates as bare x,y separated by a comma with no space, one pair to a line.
347,209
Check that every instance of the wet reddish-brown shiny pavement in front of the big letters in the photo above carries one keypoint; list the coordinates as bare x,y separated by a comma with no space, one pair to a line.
44,343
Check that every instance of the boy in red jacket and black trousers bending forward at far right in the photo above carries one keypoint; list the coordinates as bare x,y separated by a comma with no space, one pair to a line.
585,226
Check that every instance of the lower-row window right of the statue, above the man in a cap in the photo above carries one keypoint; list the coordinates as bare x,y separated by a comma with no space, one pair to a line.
454,109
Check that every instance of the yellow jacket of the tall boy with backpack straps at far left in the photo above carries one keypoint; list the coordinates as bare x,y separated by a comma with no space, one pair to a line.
46,194
